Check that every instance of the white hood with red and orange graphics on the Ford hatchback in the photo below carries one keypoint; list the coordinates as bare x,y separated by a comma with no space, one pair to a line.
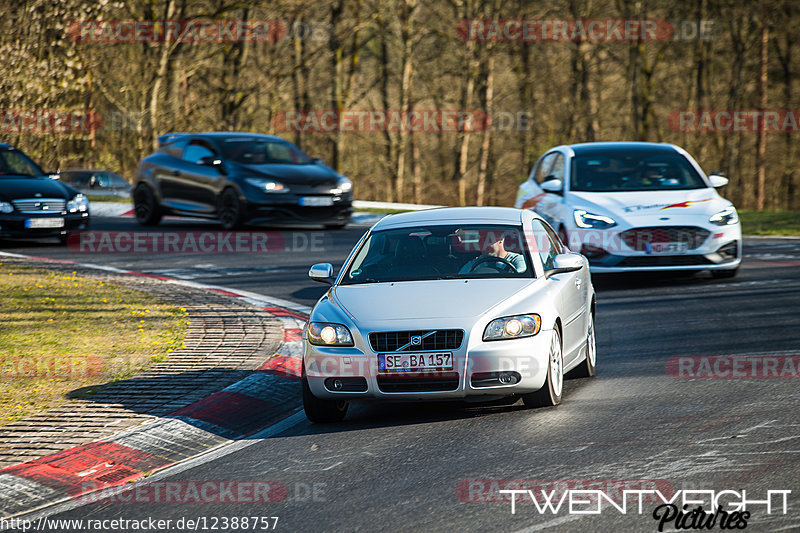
695,202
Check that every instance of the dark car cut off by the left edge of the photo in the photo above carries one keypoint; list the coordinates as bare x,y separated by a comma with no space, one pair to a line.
32,204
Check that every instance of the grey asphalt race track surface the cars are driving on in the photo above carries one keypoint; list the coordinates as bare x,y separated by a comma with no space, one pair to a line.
426,467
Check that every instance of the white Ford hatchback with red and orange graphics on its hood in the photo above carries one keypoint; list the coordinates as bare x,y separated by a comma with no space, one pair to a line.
630,206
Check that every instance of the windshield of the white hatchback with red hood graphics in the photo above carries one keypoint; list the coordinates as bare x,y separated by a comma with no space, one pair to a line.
633,171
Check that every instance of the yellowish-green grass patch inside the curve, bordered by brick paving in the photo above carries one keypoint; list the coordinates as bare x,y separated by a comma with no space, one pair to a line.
61,332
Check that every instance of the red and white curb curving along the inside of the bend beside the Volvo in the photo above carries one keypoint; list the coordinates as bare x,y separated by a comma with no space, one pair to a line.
241,409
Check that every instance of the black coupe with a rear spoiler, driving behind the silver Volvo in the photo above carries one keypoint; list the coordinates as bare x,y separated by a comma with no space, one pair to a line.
238,178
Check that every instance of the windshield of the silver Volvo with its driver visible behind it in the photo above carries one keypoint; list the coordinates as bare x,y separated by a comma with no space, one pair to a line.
441,252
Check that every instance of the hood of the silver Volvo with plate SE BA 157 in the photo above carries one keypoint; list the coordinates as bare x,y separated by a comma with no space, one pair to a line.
435,299
